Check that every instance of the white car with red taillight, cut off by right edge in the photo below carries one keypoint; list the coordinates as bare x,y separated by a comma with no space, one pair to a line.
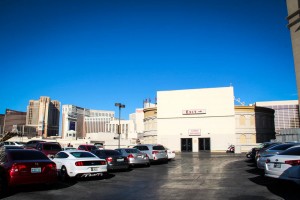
285,165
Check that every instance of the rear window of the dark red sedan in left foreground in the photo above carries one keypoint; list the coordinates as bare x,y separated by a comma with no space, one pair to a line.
27,155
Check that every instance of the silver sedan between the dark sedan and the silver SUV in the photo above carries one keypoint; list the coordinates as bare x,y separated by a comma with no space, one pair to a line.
134,156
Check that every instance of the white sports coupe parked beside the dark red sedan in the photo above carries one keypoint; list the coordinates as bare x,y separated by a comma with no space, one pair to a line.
79,163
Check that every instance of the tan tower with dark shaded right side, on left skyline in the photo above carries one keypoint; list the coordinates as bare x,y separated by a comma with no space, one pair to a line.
44,115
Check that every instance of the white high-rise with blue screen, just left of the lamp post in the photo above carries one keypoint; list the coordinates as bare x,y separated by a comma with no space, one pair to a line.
77,121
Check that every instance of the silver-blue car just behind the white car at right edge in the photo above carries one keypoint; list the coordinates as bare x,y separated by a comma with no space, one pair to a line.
273,150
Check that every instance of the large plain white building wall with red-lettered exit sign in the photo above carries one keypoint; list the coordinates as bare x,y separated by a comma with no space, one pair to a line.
216,120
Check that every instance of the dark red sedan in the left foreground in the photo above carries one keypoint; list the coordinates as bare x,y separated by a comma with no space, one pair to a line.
24,166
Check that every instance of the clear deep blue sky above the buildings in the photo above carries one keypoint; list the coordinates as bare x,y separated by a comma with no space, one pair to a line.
93,53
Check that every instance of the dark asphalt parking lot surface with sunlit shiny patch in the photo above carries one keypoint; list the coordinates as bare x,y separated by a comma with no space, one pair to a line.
190,176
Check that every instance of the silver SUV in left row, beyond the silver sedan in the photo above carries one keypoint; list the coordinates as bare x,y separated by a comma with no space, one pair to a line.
155,152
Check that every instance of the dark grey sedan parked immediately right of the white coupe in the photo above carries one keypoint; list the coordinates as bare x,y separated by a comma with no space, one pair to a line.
113,158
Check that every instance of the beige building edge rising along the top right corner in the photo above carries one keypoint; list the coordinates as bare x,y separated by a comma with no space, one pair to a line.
293,18
